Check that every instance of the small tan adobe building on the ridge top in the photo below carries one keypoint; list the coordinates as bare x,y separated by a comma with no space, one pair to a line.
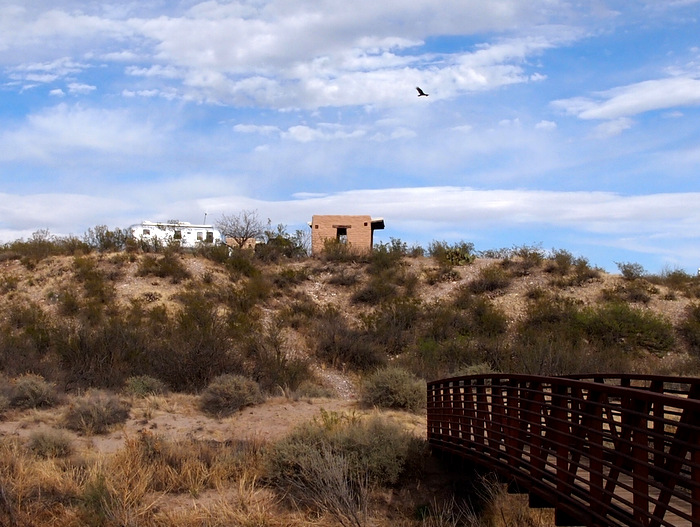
356,231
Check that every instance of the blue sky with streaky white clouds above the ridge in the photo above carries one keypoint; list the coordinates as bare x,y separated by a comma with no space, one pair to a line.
558,124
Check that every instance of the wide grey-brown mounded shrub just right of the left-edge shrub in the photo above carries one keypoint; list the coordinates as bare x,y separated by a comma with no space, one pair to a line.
95,413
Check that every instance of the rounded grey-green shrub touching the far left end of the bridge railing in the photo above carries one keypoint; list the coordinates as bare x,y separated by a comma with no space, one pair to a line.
393,387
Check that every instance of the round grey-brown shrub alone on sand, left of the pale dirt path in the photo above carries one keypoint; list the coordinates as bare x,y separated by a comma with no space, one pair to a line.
226,394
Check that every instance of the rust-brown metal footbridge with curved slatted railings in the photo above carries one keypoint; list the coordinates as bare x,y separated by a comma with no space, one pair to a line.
618,450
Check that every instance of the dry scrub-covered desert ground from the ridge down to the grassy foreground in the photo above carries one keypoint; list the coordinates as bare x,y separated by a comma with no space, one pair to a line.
308,332
